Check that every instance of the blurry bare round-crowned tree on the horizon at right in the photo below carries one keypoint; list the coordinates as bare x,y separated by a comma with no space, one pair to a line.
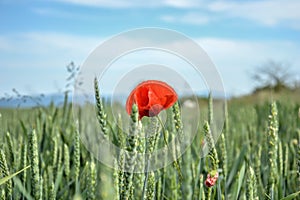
273,74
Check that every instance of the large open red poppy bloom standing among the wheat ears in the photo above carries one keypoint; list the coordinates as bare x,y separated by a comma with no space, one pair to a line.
151,97
